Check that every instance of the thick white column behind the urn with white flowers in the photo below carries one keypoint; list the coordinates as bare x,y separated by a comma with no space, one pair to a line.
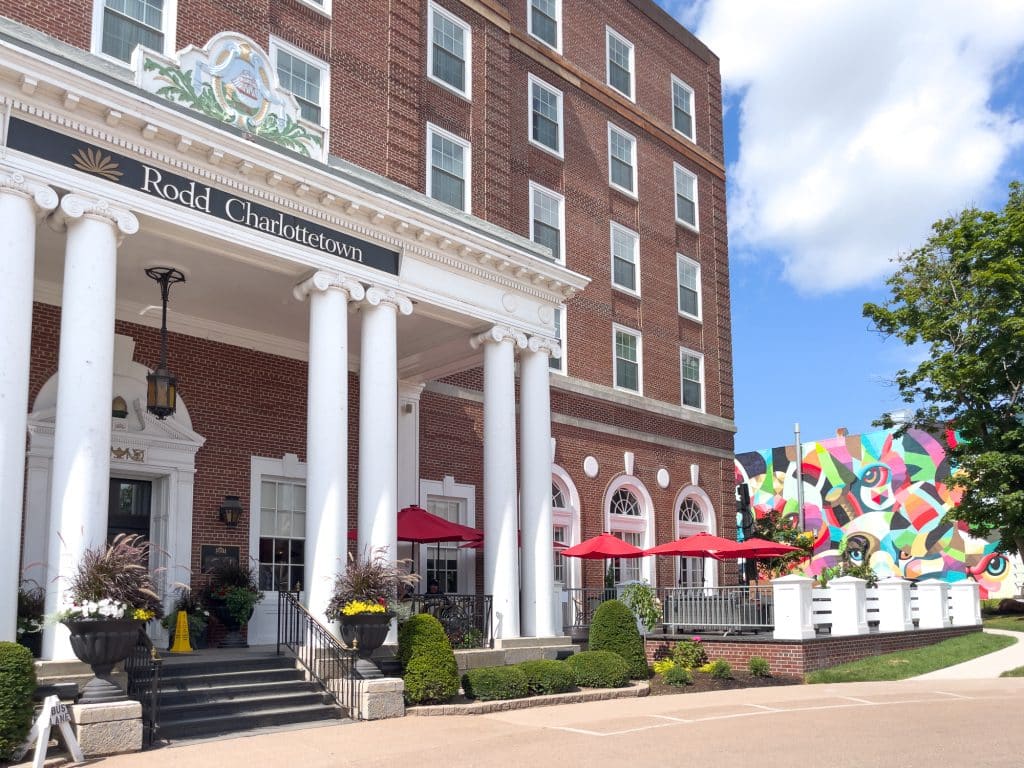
86,389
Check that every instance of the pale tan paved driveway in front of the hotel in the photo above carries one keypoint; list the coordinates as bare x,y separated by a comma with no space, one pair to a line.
907,724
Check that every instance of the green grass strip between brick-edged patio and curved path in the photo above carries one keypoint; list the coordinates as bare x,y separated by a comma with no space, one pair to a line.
907,664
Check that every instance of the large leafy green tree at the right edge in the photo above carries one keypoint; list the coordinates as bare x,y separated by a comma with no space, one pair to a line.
962,295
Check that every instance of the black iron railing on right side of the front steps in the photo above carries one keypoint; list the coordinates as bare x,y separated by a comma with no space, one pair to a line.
325,660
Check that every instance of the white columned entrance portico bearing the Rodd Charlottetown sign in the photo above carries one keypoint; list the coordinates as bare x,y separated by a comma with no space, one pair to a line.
462,293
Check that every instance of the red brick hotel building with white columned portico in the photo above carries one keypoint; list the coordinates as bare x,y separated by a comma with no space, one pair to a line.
470,254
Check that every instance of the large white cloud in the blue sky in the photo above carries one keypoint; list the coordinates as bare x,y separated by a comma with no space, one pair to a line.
862,123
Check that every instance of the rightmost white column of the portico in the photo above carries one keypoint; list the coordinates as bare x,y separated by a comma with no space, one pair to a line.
535,488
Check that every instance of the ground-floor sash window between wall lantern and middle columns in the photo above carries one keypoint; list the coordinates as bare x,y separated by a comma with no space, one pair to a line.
282,535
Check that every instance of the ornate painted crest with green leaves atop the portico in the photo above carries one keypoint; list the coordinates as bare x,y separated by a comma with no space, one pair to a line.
233,80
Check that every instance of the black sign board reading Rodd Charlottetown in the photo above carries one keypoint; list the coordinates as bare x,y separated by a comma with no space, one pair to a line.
123,172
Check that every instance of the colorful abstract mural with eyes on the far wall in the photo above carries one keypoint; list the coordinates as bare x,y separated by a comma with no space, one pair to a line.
879,499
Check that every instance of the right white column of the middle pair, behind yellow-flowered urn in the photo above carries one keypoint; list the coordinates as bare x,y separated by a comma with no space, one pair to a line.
378,489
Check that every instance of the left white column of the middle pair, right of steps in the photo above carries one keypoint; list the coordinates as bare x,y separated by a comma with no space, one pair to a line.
327,434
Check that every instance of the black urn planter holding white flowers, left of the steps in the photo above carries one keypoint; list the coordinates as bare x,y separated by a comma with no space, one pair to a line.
102,644
